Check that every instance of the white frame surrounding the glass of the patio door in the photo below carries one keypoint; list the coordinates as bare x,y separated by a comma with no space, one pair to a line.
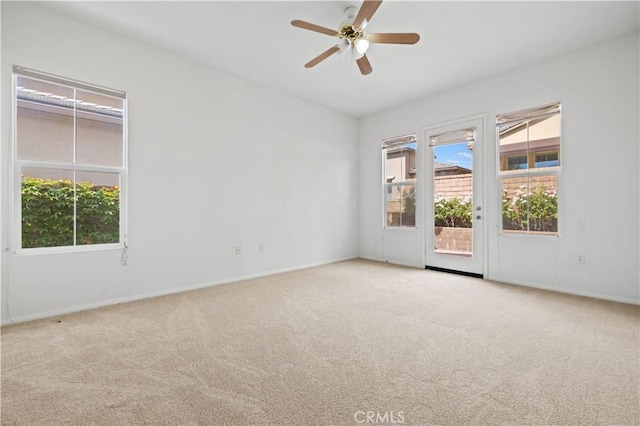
475,265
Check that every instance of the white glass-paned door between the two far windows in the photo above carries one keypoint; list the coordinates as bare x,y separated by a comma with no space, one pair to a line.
454,214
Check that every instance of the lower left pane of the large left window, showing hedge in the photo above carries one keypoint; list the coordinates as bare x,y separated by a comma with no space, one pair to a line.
47,207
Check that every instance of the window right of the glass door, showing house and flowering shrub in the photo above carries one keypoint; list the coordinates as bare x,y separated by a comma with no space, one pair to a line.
529,148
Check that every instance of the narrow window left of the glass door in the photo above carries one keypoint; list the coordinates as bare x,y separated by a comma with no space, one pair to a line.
400,181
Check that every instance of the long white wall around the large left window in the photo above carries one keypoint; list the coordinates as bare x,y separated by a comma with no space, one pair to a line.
215,162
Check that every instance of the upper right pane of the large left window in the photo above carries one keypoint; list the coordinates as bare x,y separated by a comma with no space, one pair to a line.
99,129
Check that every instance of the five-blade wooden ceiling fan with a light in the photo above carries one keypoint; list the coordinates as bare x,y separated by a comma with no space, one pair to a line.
354,40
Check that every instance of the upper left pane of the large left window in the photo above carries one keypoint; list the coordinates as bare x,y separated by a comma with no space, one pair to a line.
44,125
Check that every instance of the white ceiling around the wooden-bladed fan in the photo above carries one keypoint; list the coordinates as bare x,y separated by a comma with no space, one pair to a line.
460,41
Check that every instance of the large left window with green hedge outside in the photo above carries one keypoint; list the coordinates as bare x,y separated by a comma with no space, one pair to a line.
69,163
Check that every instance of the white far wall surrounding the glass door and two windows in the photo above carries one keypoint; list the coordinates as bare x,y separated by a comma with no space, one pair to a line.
599,90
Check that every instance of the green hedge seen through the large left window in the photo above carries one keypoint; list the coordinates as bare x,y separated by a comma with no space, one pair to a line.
48,213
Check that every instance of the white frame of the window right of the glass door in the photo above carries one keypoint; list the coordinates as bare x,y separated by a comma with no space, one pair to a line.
523,116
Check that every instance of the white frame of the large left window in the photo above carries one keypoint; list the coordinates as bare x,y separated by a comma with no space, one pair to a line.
17,165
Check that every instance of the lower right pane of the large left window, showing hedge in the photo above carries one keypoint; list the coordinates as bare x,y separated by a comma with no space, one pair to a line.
98,208
